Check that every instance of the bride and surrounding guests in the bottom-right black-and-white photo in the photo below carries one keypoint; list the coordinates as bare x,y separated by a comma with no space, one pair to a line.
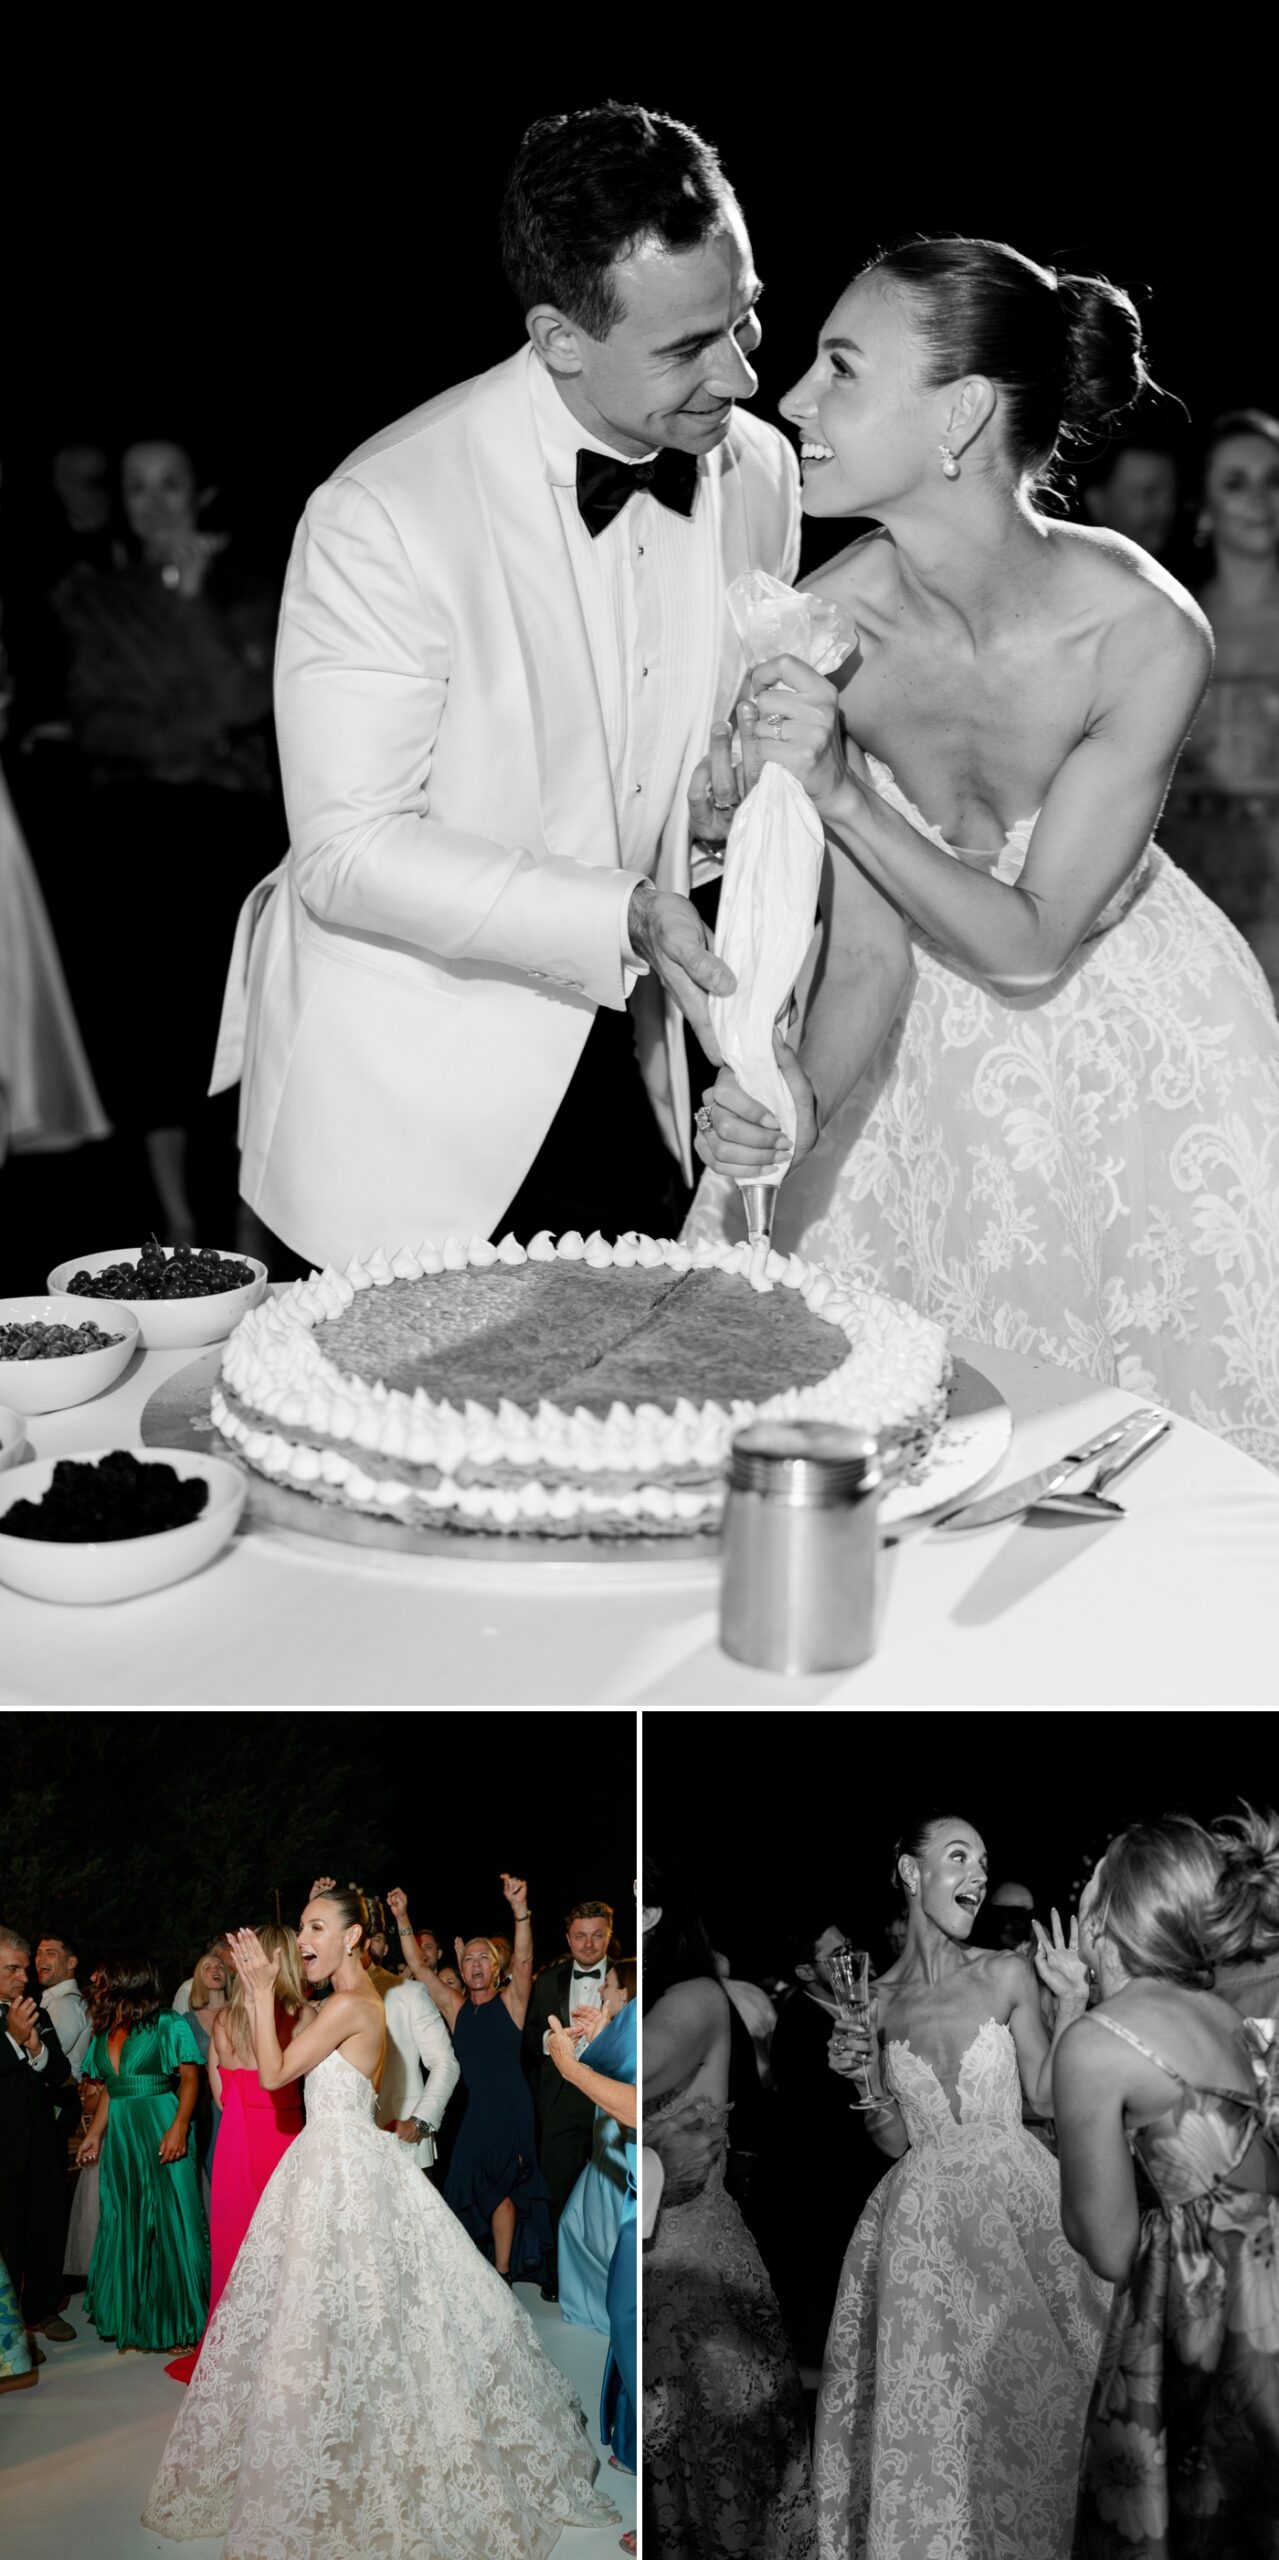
1053,2326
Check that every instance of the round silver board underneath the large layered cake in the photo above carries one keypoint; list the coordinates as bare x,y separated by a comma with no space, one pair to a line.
178,1417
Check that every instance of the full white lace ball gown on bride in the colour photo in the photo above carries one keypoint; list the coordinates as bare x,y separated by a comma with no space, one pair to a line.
370,2387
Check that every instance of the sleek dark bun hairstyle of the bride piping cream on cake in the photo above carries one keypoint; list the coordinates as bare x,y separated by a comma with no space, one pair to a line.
1063,352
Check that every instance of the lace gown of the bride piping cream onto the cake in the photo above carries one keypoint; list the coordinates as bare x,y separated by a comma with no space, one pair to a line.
1088,1174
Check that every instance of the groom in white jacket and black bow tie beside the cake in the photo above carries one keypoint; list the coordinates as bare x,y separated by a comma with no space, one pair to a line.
500,662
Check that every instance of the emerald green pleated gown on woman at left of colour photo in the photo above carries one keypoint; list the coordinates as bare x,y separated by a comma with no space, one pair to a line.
150,2272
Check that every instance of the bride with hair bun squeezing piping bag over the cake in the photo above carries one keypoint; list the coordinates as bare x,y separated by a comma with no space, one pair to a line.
1040,1071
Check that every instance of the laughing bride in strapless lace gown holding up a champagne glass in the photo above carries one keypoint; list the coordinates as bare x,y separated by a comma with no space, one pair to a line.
968,2331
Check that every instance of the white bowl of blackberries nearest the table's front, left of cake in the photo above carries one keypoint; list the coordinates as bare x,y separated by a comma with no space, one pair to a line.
116,1524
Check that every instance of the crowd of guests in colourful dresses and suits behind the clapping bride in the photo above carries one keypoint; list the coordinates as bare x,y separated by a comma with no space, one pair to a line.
150,2111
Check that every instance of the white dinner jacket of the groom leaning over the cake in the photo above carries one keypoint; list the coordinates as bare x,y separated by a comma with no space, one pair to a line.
416,989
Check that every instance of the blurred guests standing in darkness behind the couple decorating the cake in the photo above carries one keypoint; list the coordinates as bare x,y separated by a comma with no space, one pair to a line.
139,777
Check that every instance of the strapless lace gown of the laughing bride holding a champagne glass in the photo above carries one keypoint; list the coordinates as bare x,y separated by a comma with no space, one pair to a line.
963,2341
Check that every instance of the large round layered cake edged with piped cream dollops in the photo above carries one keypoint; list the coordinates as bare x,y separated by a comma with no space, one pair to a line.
569,1386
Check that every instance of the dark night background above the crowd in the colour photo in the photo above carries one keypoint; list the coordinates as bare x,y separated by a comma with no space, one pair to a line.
160,1832
